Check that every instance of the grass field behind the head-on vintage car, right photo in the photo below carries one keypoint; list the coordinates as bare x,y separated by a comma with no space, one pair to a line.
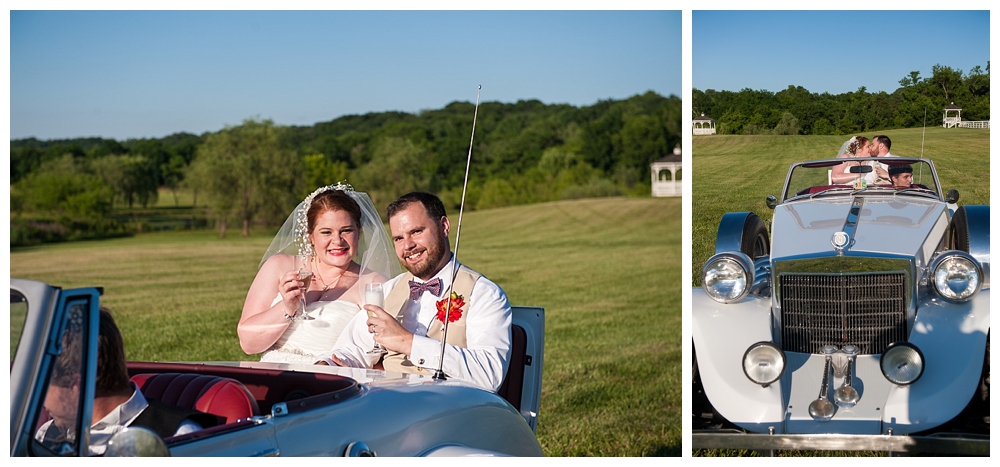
736,173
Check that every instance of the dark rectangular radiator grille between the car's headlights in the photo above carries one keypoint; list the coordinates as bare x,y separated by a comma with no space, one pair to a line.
867,310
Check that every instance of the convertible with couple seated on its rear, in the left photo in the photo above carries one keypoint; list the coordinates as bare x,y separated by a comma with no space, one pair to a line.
268,409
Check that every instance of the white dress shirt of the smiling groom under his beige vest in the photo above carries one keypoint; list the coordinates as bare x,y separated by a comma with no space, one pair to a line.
483,363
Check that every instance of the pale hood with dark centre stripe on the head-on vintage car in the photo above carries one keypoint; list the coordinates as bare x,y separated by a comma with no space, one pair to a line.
892,225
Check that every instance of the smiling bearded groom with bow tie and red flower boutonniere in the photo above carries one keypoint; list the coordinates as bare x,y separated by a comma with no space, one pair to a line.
411,326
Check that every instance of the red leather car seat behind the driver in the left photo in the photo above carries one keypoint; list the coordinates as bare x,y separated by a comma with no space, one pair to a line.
224,397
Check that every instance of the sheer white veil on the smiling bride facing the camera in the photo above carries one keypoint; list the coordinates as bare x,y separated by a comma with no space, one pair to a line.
375,252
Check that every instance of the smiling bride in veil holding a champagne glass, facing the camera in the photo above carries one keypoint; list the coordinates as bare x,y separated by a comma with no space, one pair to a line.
335,227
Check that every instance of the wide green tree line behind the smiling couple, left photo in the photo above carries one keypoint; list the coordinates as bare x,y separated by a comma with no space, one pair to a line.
252,174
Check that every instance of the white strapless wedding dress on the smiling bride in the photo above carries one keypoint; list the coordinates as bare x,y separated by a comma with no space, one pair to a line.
304,340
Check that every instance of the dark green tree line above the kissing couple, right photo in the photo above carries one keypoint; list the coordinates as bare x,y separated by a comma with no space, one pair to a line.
796,111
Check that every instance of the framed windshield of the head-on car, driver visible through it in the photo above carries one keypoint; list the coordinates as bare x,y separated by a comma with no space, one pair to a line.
886,175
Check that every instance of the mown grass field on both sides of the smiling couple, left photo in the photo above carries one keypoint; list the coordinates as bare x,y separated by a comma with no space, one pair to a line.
607,271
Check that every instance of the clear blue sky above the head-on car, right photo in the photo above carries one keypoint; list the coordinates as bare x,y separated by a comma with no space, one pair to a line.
832,51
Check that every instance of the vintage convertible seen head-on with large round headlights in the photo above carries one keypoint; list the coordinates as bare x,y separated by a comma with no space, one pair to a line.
859,320
